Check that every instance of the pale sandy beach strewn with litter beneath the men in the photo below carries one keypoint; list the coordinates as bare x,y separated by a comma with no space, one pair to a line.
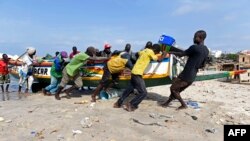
39,117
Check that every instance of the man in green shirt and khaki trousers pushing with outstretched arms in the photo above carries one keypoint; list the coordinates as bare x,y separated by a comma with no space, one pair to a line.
72,71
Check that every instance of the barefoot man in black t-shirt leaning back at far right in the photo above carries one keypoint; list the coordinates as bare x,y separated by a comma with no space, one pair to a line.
197,55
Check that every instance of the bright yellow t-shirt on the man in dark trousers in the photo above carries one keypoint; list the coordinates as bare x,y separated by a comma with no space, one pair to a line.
142,62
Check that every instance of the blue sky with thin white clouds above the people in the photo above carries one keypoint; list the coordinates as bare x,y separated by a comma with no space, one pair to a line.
58,25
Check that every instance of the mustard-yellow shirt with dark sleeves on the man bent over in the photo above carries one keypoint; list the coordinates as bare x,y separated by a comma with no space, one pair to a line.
116,64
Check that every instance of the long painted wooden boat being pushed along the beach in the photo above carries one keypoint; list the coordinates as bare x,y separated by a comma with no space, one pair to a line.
156,73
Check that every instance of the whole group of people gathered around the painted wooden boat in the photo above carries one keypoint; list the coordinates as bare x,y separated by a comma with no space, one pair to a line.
116,62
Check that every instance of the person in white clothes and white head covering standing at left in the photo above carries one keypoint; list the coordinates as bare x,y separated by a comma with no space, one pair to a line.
26,71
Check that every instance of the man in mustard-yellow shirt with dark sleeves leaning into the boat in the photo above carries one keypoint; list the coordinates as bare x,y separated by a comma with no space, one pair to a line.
115,65
